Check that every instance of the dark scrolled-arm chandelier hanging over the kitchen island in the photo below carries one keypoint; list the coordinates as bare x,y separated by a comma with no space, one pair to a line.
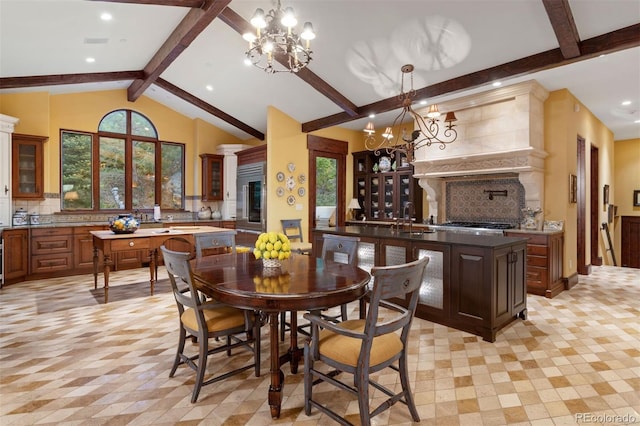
428,128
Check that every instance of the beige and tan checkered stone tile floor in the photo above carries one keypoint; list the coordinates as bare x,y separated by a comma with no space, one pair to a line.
67,359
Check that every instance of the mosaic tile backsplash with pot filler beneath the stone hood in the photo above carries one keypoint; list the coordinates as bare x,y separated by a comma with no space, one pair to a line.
469,200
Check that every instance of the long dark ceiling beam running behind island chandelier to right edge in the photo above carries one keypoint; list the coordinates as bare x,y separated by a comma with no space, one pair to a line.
624,38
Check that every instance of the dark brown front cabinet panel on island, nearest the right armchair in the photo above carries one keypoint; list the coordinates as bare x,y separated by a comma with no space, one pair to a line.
471,289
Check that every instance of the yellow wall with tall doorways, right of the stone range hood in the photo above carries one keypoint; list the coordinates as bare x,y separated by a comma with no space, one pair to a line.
566,119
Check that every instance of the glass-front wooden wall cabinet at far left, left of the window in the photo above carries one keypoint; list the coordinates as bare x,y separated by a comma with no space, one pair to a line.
27,166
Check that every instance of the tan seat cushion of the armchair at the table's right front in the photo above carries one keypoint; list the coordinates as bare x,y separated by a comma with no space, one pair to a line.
346,350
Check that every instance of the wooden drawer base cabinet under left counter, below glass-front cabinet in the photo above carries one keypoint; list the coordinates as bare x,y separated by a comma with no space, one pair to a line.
51,251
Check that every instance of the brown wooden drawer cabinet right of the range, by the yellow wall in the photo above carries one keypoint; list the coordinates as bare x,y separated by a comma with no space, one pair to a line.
544,262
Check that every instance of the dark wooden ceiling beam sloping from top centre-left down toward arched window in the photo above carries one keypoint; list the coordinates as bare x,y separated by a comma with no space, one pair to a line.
189,28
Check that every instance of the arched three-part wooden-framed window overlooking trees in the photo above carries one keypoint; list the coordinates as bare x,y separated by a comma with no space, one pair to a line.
123,167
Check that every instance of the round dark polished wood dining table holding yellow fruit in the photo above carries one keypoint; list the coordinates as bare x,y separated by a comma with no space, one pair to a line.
301,283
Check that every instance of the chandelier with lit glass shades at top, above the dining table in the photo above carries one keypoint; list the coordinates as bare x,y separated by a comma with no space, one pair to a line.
275,46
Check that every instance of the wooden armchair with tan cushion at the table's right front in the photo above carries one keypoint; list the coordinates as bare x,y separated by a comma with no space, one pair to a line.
363,347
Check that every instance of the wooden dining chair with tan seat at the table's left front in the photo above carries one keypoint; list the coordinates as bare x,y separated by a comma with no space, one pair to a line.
232,327
